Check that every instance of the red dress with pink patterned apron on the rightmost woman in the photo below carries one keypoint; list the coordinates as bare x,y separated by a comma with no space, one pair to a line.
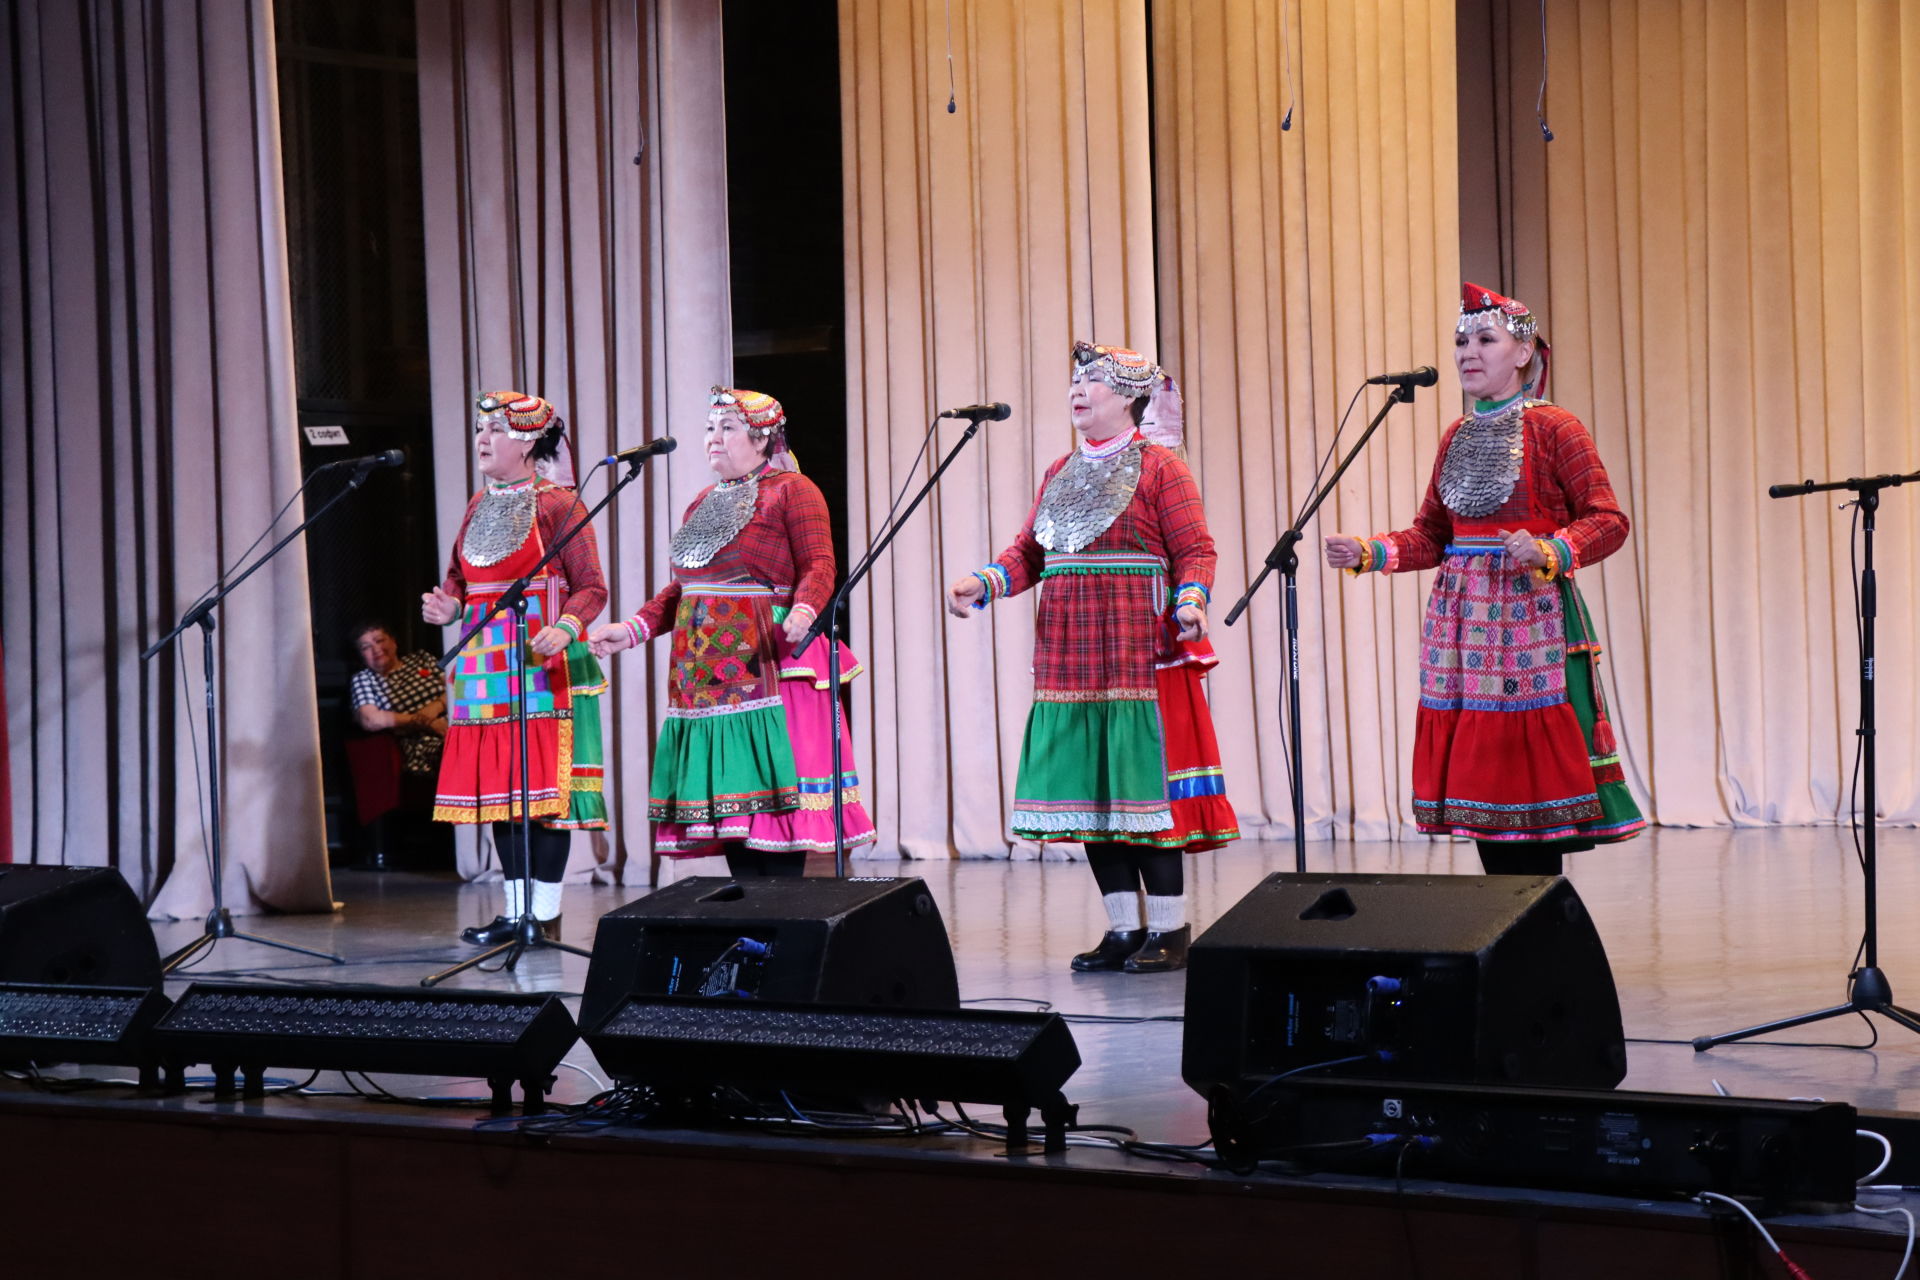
1512,738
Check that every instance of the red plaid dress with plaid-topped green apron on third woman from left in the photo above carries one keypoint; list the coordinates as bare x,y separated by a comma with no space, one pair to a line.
1120,742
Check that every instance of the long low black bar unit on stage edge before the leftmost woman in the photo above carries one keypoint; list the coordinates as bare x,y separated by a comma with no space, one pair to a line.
500,1037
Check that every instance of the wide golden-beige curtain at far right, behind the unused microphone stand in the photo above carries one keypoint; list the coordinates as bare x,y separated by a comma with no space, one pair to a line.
1725,243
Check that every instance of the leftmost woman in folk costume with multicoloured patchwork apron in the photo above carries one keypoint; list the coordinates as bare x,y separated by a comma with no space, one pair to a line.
508,531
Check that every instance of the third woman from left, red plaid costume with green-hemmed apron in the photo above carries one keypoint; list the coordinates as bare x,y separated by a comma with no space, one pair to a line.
1120,747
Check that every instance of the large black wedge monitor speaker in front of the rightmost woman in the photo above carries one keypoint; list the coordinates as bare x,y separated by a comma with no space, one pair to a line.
1497,980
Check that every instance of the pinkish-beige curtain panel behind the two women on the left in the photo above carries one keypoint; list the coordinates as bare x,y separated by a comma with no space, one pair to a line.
562,268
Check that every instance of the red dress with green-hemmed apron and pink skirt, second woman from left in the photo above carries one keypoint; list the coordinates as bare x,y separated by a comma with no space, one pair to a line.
748,753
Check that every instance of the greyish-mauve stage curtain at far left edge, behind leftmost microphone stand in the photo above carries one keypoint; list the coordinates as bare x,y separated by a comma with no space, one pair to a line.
147,360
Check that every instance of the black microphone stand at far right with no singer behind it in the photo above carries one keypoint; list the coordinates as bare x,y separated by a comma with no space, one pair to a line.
1869,989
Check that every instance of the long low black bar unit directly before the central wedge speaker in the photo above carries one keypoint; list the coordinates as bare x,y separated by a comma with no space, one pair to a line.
1017,1060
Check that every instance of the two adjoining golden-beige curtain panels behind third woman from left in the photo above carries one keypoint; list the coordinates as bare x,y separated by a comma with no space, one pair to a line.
1291,266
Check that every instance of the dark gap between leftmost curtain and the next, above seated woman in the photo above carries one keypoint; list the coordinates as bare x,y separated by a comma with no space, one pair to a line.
350,131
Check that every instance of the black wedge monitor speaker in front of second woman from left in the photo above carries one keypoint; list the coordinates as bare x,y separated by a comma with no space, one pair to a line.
859,941
